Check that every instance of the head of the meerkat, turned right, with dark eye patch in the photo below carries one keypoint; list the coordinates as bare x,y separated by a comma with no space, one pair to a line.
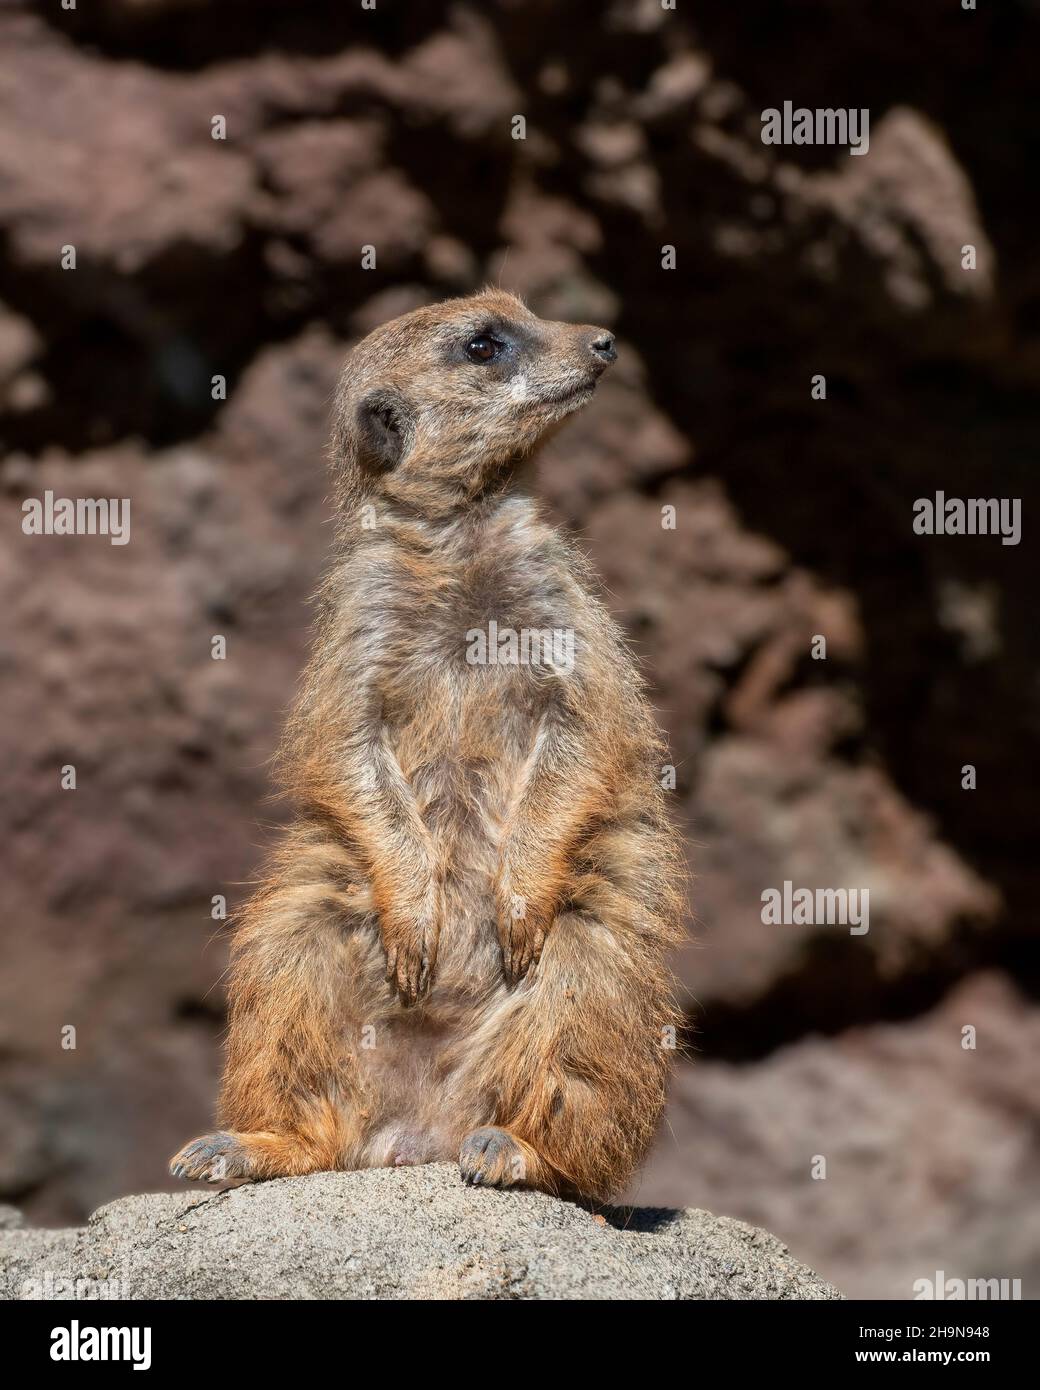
437,407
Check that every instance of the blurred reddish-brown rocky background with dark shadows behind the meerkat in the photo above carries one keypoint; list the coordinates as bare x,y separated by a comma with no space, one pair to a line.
243,258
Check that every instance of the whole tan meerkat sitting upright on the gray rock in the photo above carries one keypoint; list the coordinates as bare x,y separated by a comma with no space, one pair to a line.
460,951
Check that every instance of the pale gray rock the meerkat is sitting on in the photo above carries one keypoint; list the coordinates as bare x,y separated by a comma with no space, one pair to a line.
396,1234
